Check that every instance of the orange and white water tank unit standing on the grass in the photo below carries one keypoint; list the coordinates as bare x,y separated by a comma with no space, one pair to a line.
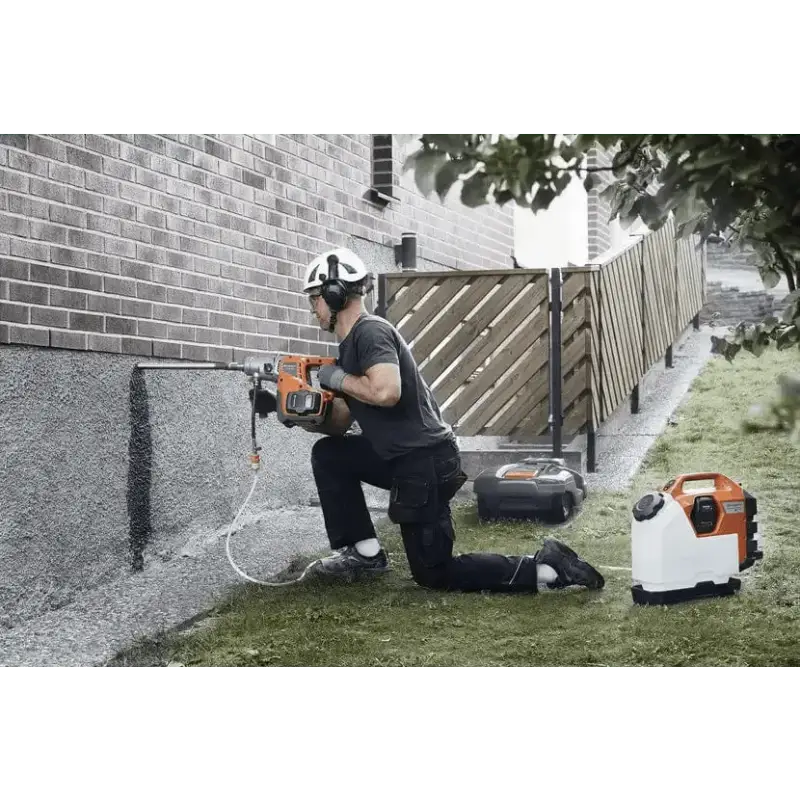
690,543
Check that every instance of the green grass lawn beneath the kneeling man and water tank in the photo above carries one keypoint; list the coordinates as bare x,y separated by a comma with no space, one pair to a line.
390,622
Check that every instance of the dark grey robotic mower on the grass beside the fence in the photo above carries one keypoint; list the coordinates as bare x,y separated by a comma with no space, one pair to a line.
529,489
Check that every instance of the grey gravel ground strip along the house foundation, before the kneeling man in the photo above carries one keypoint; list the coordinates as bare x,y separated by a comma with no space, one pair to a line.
94,628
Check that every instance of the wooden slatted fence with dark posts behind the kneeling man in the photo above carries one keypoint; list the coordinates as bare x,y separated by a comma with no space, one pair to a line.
492,343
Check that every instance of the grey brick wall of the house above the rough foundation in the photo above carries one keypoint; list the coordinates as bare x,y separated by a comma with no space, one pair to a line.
186,244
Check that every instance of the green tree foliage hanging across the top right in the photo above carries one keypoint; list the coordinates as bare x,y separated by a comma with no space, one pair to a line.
739,185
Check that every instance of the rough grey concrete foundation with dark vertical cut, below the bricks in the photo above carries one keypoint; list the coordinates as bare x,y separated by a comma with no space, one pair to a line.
107,470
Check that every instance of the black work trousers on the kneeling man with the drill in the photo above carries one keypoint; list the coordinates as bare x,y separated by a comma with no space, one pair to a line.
421,486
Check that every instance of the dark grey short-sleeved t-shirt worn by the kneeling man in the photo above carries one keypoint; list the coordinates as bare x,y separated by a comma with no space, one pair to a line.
416,420
